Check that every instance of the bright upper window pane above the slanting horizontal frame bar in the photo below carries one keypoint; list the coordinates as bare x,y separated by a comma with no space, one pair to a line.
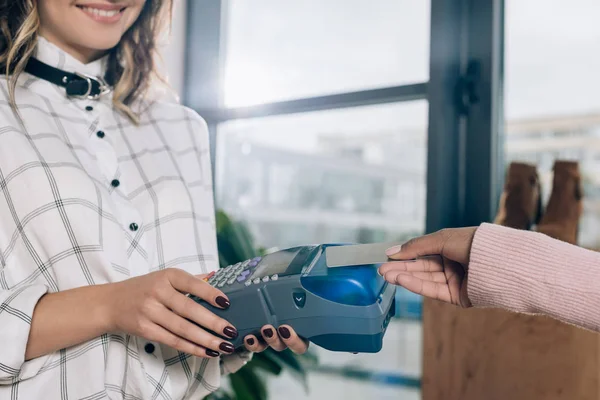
281,50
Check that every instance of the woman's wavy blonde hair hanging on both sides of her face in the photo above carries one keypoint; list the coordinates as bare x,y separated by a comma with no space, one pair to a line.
131,65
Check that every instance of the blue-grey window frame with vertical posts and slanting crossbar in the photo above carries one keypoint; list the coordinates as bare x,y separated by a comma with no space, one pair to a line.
465,123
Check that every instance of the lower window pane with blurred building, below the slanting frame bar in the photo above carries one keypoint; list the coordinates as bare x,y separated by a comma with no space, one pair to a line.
348,175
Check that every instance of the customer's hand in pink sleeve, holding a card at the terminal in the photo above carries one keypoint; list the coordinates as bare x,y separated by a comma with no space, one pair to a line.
435,265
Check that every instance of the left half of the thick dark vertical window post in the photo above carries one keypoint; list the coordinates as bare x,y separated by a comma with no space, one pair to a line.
444,188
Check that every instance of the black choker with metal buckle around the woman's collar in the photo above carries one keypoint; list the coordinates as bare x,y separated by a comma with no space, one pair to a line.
77,85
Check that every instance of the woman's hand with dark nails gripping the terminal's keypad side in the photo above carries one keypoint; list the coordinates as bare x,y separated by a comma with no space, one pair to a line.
155,307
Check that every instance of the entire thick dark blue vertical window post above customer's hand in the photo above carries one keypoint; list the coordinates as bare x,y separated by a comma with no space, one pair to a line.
465,155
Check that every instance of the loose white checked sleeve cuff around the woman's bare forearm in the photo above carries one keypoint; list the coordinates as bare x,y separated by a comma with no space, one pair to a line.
16,311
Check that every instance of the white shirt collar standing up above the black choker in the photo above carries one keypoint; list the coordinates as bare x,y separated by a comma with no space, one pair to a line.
52,55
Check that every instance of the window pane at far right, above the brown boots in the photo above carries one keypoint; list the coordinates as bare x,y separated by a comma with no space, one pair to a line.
552,94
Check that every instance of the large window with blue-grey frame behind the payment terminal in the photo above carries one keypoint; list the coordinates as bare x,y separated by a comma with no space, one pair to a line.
322,135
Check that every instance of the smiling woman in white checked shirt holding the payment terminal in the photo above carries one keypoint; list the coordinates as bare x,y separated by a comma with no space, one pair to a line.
106,214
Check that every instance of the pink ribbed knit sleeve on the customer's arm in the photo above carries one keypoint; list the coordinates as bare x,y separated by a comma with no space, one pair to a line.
531,273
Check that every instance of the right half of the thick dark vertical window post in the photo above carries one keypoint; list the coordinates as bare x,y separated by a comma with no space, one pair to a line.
484,149
